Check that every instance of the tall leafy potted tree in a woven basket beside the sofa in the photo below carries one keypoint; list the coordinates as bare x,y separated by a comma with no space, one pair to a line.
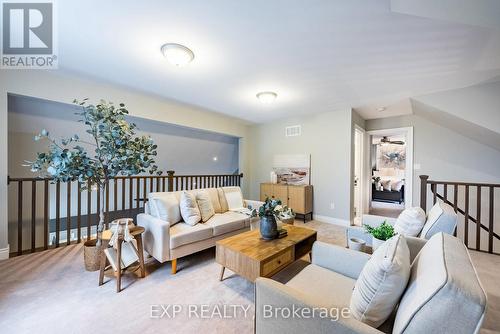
111,148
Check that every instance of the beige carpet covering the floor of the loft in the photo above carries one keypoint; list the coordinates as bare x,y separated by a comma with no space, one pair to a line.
50,292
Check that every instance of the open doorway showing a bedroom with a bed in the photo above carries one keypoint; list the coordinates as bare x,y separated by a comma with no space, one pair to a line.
391,171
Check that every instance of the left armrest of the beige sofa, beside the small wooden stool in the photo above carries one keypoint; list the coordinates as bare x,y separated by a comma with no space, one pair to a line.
156,236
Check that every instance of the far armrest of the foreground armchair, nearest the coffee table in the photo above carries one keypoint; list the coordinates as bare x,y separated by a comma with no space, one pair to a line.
341,260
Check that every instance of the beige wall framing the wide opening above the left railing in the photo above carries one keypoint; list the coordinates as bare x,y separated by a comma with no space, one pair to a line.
64,88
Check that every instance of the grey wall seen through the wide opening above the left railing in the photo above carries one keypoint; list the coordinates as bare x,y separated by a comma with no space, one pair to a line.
185,150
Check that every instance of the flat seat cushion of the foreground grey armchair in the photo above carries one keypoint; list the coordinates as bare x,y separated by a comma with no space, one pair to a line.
327,288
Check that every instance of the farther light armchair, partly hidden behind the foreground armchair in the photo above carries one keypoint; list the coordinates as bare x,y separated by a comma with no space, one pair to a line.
441,218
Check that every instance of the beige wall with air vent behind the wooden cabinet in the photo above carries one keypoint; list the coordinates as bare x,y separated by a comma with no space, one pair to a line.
327,138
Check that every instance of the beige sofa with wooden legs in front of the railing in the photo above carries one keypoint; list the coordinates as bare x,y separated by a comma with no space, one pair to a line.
167,241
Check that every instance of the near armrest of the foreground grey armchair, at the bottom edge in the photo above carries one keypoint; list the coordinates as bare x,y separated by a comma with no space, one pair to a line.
272,297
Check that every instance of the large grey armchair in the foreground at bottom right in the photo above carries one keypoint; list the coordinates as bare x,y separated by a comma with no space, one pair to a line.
444,294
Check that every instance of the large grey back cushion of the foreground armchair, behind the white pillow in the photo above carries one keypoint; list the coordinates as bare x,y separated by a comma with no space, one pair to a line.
444,294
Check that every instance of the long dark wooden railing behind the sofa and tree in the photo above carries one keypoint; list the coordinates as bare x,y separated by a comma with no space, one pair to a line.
124,197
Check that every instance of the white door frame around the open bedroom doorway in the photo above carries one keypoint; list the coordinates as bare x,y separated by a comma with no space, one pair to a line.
408,133
